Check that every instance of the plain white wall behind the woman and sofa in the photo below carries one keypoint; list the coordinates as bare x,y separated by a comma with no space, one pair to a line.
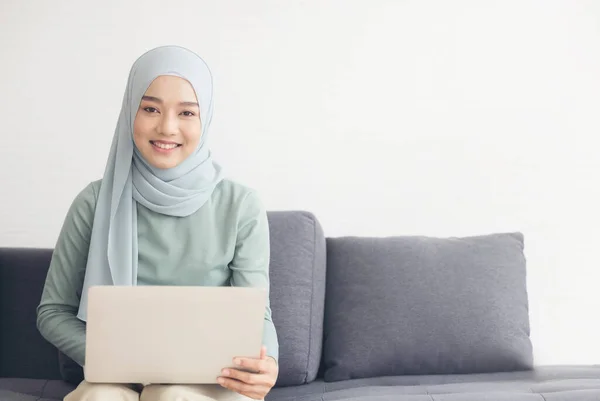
441,118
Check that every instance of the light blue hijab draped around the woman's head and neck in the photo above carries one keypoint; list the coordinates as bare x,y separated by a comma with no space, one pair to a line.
129,179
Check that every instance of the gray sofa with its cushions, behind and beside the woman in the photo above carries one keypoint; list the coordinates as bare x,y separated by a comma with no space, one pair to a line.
403,318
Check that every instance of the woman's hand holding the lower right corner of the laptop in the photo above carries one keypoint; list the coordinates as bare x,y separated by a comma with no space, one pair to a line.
255,384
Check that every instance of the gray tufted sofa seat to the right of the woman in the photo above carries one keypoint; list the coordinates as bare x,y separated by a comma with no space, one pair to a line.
555,383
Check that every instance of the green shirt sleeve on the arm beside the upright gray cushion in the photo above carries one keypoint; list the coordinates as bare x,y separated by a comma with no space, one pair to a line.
250,264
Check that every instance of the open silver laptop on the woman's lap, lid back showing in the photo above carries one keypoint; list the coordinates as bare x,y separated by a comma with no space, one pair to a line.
170,334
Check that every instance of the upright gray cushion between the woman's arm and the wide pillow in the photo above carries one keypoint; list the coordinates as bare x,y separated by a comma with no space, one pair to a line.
297,271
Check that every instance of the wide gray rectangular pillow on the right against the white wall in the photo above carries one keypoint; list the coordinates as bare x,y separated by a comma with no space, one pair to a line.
421,305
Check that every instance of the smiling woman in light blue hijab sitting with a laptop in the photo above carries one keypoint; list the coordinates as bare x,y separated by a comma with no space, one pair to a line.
162,215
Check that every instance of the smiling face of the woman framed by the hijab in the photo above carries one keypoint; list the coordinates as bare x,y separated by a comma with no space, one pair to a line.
167,125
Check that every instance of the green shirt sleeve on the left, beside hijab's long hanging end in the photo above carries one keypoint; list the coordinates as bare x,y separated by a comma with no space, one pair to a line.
57,312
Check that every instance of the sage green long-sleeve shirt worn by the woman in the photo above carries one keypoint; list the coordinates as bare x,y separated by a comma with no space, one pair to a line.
226,242
